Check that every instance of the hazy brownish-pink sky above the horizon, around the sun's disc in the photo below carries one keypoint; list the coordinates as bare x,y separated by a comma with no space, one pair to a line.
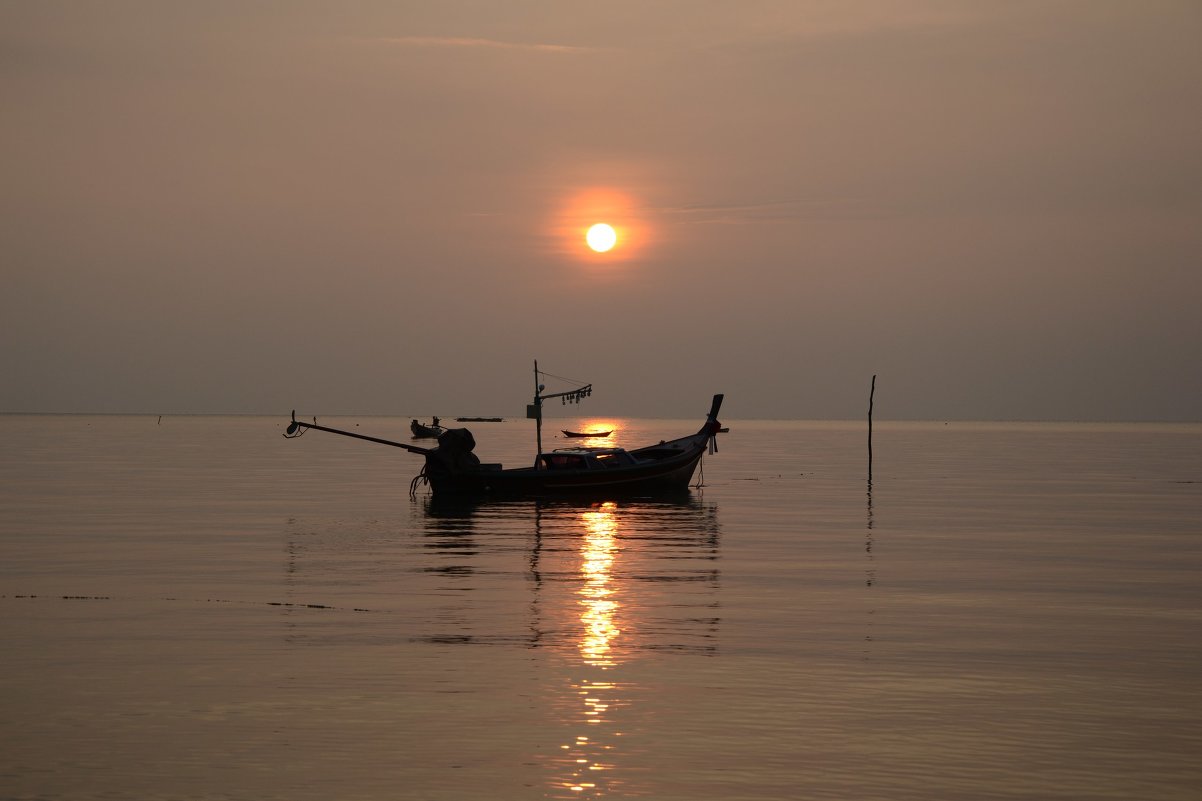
379,207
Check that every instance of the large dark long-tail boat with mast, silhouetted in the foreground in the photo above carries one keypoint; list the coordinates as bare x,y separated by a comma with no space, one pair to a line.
453,468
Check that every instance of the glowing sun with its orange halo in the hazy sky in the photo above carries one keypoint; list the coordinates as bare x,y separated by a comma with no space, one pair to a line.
600,226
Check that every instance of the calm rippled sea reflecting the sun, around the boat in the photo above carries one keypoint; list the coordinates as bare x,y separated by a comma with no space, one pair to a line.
197,608
